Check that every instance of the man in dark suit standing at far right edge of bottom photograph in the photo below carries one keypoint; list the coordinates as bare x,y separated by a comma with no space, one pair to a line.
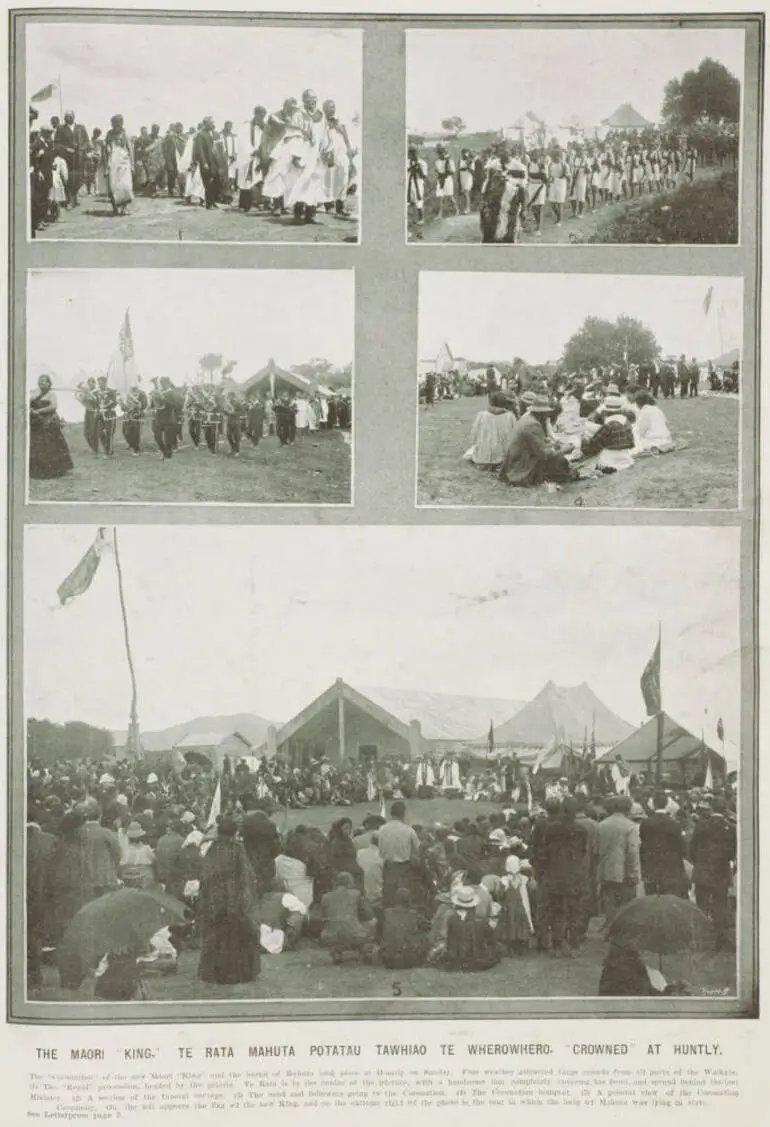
713,851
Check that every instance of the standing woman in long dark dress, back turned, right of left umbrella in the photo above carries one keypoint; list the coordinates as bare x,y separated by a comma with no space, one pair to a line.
229,934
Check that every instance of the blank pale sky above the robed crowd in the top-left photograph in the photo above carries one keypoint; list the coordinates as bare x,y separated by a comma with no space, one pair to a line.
158,74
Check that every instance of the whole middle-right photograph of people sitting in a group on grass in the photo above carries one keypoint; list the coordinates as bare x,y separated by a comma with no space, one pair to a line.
591,391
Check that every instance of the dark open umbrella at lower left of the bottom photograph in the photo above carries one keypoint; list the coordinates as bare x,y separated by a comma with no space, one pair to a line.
122,920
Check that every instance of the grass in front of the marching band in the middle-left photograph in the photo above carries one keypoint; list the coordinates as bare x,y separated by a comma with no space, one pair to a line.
316,471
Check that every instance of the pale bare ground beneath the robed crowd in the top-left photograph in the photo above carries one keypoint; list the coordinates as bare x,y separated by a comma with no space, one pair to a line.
163,220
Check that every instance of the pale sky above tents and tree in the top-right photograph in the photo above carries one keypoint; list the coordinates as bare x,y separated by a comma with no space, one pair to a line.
490,78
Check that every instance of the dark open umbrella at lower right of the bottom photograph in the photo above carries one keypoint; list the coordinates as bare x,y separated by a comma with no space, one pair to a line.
663,925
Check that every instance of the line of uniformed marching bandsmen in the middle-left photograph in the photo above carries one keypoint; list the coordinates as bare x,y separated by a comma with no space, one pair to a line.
213,413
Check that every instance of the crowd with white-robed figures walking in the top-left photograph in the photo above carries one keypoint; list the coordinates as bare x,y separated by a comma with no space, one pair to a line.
298,161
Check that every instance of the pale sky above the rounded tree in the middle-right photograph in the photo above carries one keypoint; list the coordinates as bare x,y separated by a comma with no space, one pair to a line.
534,316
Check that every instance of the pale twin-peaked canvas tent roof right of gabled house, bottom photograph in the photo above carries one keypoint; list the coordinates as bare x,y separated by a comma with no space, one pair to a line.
574,712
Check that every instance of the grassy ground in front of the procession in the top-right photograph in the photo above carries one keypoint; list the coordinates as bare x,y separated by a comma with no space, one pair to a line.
706,212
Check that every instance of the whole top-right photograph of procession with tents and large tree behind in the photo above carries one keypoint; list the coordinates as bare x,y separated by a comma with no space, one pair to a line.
590,136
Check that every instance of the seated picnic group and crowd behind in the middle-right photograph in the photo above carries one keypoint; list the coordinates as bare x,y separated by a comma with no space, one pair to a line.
565,427
